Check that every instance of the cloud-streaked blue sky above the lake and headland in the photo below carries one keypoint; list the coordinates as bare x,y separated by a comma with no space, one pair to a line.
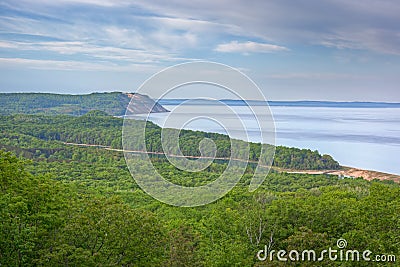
336,50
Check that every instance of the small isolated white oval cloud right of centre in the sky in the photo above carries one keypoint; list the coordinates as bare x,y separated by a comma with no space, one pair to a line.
248,47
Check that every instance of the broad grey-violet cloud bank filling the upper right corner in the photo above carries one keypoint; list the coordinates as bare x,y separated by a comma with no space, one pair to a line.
369,25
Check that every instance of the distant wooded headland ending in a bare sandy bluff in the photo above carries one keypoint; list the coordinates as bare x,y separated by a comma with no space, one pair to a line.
114,103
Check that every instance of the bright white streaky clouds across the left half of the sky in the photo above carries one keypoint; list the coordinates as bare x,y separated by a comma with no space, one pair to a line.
140,39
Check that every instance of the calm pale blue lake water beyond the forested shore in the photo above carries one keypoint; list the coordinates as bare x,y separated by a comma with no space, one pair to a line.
367,138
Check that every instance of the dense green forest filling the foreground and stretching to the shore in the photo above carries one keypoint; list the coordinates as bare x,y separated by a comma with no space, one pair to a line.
66,205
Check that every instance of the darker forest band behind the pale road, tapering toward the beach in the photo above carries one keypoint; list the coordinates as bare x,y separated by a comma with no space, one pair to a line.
97,128
